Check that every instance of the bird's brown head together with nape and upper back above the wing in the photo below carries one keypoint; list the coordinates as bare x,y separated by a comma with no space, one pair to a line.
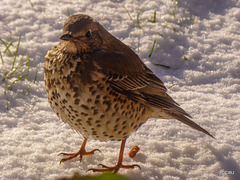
83,34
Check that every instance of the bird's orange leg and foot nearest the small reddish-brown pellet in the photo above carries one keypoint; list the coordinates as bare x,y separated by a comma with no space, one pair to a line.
119,165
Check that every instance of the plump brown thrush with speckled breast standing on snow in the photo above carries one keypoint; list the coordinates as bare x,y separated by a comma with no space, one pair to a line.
100,87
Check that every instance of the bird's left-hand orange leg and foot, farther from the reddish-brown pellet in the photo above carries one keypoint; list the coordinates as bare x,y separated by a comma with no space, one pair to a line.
82,152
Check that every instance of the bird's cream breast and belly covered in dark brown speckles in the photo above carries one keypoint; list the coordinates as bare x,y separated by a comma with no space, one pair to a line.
91,108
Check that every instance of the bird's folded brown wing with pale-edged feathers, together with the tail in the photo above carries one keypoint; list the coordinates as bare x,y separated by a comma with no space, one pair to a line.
129,76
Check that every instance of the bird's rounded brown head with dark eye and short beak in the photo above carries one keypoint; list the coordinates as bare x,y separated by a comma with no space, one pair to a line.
83,34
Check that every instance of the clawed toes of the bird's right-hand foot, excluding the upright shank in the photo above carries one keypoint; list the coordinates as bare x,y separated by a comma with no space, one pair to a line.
114,169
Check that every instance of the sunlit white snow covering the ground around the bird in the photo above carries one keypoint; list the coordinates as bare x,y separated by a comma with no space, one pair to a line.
208,87
